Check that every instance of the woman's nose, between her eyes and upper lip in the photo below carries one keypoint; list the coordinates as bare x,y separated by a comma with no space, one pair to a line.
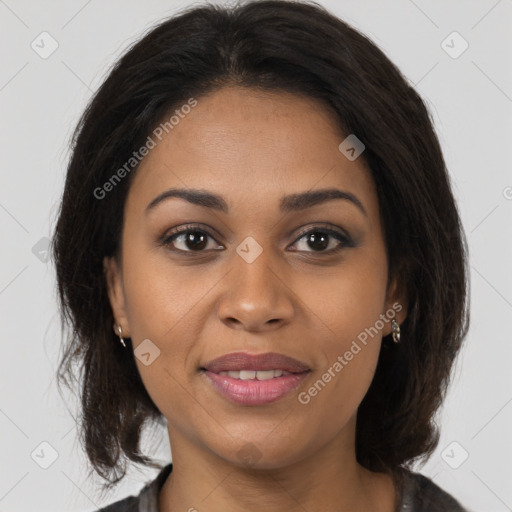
256,296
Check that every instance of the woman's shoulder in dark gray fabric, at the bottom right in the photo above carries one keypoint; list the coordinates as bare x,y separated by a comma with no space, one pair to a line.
422,495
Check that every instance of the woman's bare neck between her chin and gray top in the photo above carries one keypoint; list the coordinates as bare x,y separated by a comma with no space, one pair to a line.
329,479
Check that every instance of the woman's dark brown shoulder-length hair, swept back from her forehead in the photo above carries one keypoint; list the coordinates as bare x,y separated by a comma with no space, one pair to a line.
273,45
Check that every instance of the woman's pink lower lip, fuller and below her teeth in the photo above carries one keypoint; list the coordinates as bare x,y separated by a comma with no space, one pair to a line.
255,392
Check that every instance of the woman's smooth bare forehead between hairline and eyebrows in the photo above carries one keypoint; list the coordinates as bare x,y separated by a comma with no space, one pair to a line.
251,147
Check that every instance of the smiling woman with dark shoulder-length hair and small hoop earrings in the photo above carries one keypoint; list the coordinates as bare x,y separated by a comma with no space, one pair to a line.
258,246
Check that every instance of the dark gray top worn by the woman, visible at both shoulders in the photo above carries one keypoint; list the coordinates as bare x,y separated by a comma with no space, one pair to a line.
420,494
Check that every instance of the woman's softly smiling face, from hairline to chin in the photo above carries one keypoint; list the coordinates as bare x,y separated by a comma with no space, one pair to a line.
247,277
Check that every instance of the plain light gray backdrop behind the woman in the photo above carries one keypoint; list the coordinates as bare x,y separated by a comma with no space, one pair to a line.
469,92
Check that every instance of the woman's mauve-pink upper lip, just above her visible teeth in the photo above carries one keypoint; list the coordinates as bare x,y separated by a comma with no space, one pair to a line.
245,361
